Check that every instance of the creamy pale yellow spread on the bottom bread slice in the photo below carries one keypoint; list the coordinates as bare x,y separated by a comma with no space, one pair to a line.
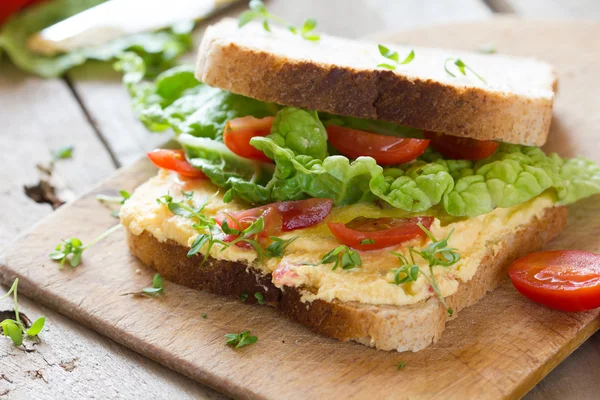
473,237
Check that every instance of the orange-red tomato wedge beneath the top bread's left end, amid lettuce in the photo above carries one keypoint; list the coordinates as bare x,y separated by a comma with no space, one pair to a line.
239,131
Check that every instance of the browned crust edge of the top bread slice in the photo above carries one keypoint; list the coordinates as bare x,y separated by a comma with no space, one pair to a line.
427,104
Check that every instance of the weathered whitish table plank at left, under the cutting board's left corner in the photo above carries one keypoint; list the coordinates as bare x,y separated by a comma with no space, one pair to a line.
39,116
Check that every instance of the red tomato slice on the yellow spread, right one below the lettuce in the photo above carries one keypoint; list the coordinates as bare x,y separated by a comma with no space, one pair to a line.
378,233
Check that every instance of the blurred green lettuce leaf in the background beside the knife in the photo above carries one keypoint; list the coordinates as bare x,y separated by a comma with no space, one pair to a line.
159,50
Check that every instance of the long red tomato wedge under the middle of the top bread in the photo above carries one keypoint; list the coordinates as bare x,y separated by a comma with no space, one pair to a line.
386,150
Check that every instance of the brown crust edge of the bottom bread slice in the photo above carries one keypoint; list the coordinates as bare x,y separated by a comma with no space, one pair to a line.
401,328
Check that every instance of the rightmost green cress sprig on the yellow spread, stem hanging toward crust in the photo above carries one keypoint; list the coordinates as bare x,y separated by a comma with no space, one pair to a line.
436,253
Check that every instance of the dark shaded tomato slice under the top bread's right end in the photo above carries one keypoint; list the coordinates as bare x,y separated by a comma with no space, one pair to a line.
458,148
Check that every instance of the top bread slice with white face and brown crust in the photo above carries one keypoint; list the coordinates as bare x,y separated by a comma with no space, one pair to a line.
342,76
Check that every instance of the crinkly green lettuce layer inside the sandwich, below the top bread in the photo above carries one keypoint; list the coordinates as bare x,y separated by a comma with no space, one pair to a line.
304,166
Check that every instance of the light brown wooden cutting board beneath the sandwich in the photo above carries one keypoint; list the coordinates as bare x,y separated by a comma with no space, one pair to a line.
498,348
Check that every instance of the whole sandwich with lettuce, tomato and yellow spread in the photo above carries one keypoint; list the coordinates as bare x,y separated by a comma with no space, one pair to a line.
368,191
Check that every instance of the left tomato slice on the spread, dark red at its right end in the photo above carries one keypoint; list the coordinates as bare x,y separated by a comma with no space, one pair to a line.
279,217
